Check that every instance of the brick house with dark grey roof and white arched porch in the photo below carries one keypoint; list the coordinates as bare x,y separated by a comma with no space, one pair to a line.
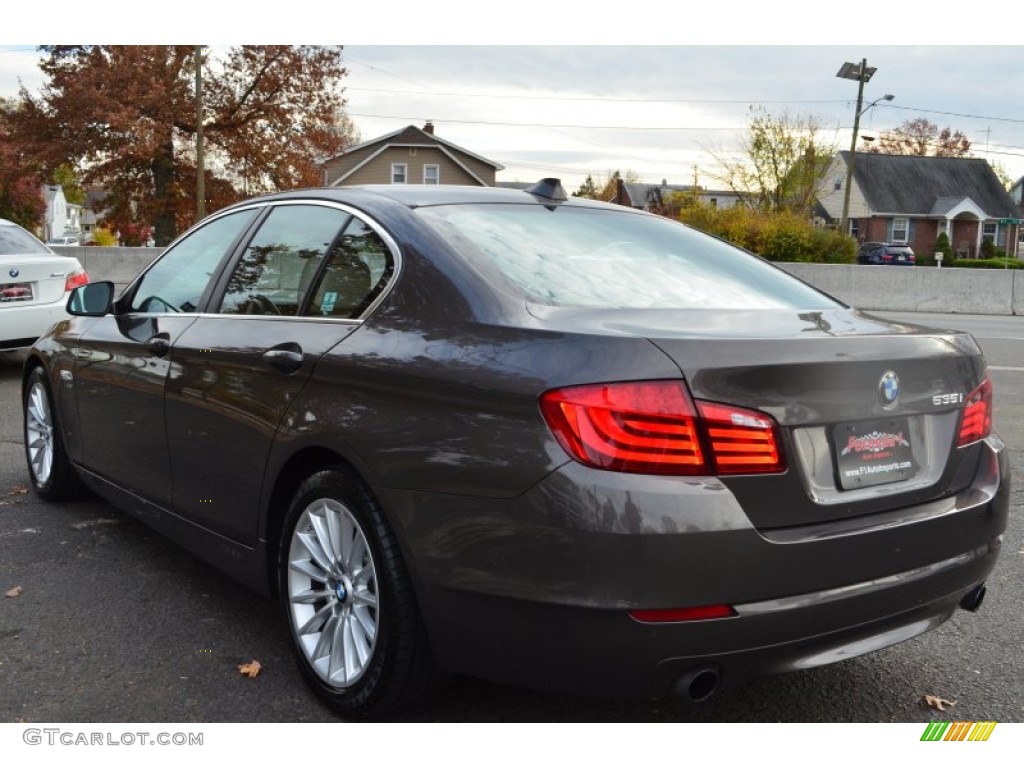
913,200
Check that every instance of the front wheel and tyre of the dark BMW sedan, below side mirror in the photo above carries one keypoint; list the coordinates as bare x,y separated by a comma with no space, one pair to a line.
53,476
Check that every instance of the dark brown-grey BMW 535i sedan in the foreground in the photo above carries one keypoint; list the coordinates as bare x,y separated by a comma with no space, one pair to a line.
536,440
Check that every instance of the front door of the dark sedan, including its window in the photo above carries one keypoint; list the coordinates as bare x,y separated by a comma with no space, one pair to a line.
121,364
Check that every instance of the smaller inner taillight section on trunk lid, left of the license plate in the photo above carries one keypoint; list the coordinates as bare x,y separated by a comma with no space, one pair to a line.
742,442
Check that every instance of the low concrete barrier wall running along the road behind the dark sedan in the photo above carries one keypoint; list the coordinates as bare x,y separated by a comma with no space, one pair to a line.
916,289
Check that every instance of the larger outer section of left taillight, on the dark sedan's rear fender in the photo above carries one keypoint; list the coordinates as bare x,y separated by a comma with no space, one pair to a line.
647,428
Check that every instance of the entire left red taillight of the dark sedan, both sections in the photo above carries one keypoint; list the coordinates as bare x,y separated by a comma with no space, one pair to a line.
656,429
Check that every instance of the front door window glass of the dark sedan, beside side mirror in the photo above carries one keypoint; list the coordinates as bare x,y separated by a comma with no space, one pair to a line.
178,281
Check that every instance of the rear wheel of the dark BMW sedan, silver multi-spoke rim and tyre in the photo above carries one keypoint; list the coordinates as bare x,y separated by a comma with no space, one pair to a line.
349,603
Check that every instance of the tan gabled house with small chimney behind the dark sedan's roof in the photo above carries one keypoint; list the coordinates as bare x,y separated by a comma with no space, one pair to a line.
410,156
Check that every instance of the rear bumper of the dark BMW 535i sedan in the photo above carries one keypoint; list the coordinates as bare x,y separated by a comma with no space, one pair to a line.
537,591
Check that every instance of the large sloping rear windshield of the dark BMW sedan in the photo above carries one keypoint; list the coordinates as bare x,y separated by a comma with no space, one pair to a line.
586,258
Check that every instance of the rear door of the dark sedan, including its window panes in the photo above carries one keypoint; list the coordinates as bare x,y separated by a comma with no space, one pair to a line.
294,292
